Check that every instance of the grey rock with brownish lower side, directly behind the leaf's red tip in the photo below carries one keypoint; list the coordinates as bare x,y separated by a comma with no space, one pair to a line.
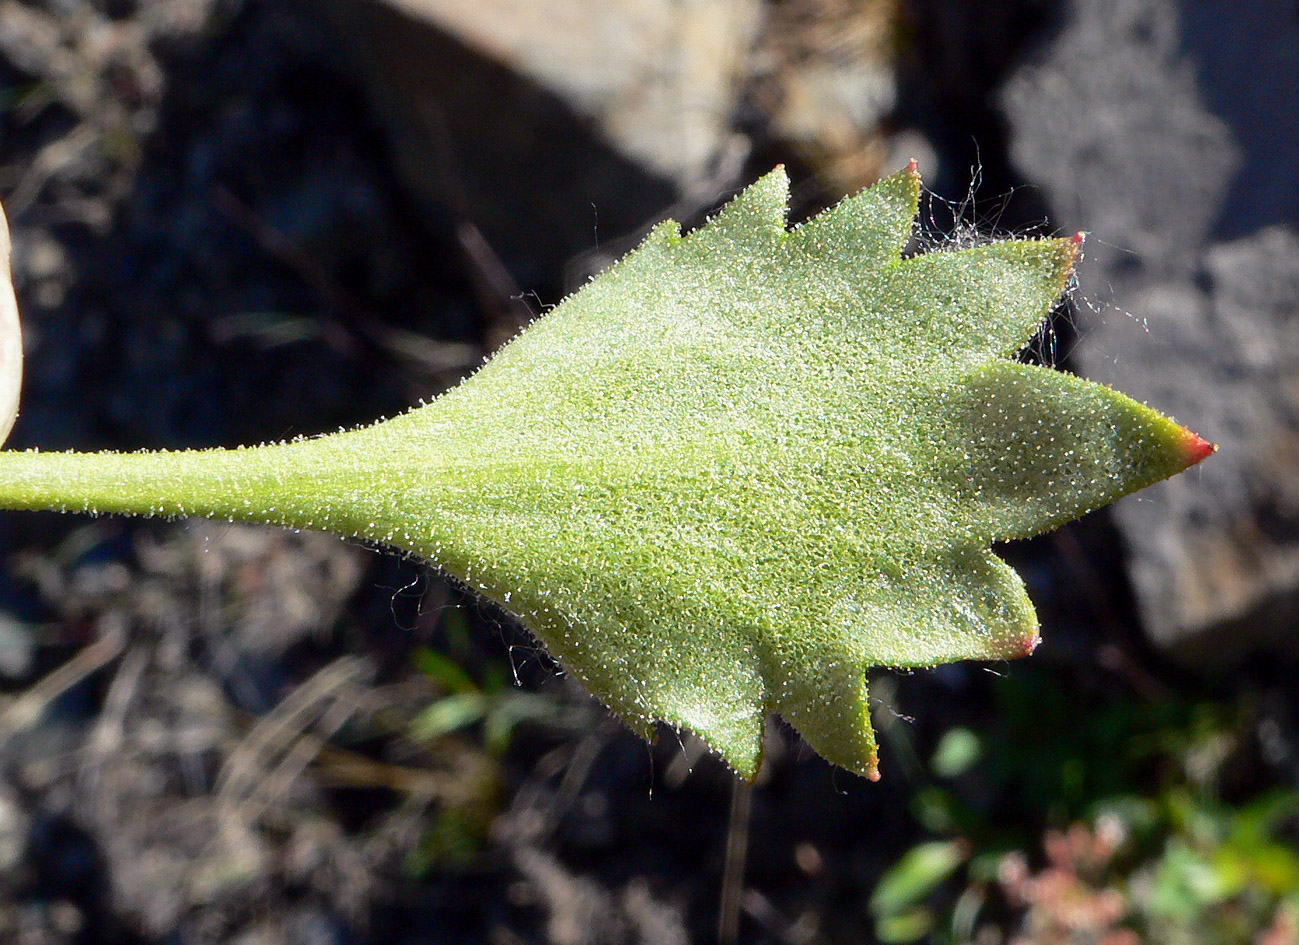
1215,554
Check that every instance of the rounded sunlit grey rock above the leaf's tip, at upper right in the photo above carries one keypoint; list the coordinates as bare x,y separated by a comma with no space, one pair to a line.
1111,124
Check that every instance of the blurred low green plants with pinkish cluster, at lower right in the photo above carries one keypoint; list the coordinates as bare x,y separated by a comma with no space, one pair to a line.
1144,820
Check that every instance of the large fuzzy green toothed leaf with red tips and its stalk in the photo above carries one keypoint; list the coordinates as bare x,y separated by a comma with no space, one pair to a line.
729,475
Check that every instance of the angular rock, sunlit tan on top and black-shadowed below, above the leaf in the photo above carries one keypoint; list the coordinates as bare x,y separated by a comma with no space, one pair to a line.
554,125
